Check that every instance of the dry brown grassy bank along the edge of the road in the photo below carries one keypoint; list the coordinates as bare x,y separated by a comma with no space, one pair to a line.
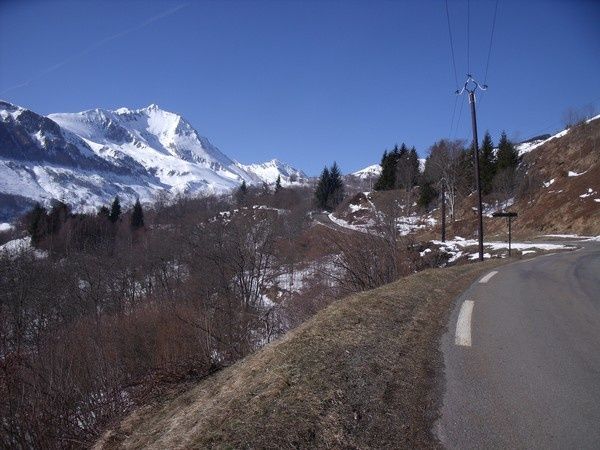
363,373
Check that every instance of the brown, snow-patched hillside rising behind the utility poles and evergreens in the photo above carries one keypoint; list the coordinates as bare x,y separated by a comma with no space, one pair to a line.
556,190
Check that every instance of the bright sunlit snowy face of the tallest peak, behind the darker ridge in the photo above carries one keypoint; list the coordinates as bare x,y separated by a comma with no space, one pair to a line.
162,142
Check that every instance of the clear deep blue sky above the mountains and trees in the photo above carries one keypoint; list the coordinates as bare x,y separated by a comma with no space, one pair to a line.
308,82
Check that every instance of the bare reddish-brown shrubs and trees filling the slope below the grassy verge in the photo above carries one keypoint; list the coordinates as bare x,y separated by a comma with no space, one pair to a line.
115,315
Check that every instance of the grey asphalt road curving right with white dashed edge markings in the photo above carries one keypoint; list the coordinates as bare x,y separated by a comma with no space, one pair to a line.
530,377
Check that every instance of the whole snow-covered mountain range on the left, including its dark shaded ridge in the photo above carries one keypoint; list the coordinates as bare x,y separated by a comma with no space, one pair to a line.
87,158
